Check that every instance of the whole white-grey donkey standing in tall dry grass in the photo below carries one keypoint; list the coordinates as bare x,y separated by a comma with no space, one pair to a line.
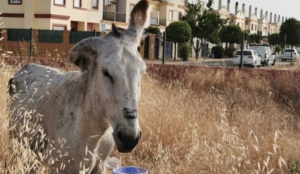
84,114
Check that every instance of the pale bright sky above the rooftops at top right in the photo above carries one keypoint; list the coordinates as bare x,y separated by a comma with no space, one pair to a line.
286,8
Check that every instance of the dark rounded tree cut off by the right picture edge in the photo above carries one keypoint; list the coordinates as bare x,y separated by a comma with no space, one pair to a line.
290,32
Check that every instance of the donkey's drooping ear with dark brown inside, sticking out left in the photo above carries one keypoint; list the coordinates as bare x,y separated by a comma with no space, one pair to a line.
84,53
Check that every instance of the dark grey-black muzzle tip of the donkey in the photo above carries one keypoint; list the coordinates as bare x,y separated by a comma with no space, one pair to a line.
126,143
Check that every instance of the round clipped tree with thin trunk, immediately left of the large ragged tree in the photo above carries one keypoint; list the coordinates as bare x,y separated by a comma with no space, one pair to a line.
178,32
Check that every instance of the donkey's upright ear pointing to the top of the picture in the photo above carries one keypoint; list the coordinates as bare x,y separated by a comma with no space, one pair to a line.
139,18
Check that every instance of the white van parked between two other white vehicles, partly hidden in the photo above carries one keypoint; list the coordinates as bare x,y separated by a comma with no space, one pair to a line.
265,53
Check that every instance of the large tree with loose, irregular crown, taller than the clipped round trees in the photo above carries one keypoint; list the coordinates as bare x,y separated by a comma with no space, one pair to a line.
205,24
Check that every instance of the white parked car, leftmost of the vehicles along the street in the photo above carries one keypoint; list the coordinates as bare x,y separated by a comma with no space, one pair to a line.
250,58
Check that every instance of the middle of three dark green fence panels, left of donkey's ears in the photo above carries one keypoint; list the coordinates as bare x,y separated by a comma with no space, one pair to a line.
50,36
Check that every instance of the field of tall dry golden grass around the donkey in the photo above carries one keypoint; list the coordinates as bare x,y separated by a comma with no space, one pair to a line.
201,120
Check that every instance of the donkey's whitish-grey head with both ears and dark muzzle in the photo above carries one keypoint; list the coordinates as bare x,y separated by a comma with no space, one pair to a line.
115,68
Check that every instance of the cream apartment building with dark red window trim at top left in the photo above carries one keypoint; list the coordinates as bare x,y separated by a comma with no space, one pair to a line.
81,15
